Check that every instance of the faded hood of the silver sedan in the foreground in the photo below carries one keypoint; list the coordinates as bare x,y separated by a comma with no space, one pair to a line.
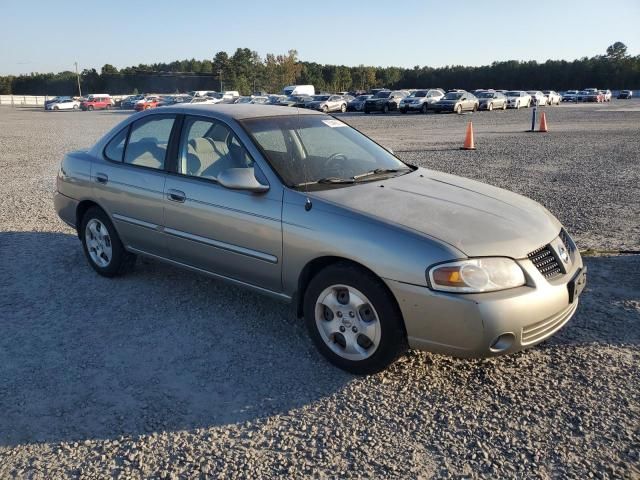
476,218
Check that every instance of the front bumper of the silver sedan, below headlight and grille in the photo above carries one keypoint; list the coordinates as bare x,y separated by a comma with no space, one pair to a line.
469,325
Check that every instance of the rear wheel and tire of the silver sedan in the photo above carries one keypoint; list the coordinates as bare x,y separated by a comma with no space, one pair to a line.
102,246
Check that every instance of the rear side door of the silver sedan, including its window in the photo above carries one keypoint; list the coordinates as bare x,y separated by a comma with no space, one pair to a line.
129,183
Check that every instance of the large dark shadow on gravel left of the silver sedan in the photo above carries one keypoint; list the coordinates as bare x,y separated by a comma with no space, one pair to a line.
83,357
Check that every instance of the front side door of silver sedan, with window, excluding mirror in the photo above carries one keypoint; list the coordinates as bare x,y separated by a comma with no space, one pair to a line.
233,233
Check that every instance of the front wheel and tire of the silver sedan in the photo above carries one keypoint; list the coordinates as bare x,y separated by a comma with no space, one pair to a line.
360,307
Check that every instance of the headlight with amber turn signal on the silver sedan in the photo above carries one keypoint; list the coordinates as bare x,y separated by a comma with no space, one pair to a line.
476,275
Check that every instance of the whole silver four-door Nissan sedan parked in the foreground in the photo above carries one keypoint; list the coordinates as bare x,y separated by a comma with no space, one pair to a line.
375,254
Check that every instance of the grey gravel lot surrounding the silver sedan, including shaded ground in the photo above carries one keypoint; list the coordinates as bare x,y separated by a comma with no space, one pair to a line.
166,374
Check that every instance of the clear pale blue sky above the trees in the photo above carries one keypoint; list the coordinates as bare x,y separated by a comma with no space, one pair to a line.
43,36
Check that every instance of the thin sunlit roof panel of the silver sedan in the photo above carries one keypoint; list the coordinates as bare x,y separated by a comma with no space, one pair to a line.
239,111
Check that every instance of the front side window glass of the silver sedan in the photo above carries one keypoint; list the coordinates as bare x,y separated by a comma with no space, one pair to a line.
208,147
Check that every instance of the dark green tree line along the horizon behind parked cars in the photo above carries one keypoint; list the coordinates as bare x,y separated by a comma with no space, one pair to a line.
248,72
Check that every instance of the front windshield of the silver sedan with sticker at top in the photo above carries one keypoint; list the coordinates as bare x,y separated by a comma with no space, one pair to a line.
308,148
